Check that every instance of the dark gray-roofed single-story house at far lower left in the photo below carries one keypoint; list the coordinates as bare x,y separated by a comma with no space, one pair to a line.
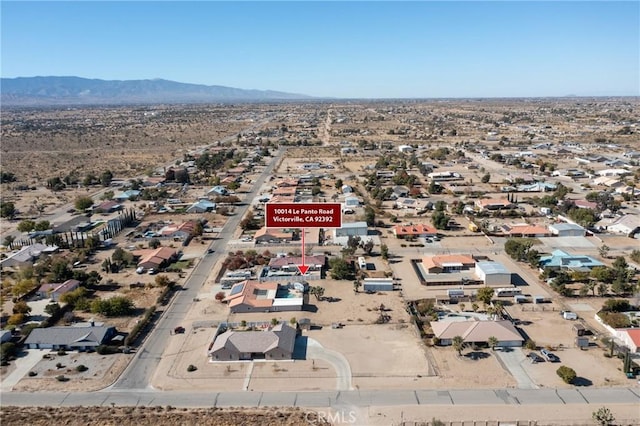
81,337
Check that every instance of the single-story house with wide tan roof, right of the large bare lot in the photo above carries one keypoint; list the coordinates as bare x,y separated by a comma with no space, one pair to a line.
475,332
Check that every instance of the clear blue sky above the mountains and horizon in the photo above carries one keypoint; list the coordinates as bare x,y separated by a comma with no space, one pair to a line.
336,49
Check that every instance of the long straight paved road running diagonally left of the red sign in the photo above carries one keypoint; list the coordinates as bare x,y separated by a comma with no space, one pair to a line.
139,372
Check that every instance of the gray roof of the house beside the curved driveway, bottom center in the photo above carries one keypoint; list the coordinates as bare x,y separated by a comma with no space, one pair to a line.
281,336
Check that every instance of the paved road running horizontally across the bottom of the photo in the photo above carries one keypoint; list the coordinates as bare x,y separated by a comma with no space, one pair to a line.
355,398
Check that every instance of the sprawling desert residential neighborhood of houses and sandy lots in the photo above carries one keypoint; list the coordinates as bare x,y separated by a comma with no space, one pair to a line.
462,259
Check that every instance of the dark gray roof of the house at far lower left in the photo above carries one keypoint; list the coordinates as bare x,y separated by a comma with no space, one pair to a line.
69,336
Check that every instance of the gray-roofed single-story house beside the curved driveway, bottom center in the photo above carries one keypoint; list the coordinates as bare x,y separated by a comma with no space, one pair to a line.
275,343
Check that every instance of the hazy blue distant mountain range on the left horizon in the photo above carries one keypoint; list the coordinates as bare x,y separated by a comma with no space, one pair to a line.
35,91
